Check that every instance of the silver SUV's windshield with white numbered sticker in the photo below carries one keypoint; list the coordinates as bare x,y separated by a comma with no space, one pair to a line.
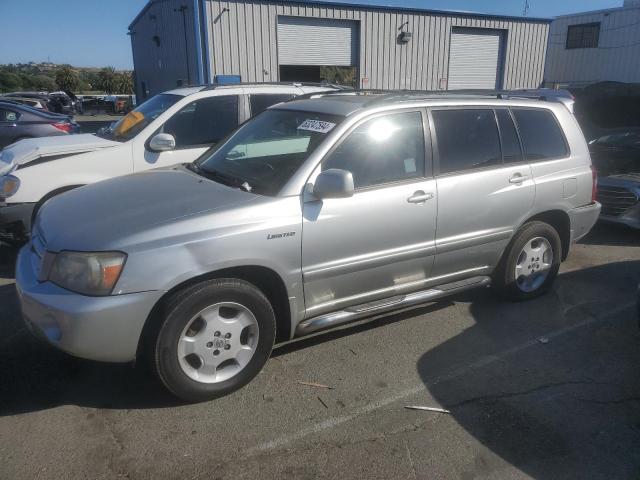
263,155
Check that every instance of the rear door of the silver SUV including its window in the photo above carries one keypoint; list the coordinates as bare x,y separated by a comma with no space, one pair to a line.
485,190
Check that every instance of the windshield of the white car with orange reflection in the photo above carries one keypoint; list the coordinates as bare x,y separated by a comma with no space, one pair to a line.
135,121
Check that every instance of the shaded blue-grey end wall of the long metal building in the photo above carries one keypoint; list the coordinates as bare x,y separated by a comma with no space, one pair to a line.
160,67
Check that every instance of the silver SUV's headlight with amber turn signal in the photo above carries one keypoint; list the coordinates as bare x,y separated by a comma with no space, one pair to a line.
87,273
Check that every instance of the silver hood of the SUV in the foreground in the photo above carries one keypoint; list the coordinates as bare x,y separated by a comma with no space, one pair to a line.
109,214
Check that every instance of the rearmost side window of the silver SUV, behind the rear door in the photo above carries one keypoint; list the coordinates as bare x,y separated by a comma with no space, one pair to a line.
541,136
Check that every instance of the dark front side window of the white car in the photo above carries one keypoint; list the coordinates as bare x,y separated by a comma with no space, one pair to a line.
204,122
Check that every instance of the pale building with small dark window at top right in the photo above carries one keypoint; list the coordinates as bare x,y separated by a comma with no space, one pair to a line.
595,46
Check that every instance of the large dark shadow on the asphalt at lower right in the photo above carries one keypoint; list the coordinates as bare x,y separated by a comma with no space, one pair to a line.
550,386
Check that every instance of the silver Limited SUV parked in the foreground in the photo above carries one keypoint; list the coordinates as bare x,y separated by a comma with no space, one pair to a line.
315,213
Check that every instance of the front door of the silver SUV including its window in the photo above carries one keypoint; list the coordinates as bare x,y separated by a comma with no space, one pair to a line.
379,242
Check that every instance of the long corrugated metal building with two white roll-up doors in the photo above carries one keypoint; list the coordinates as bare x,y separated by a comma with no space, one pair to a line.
179,42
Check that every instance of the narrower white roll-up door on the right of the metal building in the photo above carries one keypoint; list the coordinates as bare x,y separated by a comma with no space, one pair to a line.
475,59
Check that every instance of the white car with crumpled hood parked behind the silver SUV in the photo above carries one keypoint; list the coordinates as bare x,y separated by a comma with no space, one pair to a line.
173,127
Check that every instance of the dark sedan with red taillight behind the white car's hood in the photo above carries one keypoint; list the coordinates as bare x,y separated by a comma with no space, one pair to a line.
19,121
